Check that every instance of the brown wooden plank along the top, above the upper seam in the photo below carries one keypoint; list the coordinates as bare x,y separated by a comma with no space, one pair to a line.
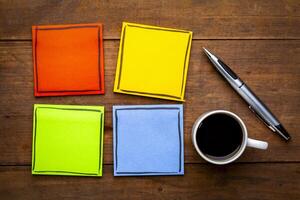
215,19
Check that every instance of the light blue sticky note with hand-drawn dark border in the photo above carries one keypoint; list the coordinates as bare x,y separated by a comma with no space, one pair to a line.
148,140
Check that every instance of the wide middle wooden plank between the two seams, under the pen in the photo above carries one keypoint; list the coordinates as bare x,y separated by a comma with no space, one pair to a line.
270,67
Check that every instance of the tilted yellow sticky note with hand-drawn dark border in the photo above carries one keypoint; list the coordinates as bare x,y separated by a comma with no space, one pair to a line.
153,61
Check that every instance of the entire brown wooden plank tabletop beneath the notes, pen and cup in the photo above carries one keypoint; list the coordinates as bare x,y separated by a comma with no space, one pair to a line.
259,39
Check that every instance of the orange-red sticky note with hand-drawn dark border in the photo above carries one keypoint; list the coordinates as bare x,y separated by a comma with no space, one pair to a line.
68,59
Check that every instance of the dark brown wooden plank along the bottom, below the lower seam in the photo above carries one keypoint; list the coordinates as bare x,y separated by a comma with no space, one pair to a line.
201,181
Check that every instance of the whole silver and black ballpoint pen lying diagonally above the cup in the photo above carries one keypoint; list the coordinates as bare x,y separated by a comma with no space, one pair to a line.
254,103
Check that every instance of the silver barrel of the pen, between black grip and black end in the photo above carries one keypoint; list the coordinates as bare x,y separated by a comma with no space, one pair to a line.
257,106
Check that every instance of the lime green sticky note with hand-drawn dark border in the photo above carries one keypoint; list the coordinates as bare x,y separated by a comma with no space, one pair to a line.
67,140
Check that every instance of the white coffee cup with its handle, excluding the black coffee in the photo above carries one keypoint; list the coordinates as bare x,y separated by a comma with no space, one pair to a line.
231,157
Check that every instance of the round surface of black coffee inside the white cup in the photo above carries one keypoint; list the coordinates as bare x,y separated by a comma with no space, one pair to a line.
219,135
